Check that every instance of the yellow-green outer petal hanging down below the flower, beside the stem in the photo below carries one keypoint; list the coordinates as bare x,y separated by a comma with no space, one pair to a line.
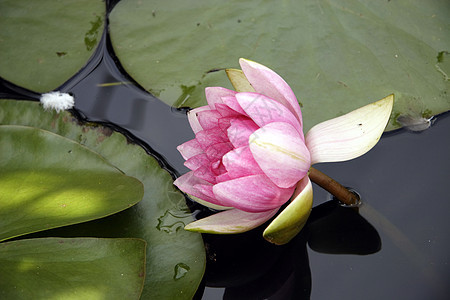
292,219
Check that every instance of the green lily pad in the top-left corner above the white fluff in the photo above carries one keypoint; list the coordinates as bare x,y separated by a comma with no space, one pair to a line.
44,43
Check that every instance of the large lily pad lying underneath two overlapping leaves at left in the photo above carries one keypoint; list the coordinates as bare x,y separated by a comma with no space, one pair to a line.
175,257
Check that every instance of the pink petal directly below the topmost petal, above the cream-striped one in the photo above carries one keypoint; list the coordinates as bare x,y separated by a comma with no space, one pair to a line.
264,110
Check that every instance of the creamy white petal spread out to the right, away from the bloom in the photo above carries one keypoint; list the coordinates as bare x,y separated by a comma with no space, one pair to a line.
350,135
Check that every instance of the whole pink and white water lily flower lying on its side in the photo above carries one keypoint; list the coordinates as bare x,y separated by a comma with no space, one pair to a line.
250,156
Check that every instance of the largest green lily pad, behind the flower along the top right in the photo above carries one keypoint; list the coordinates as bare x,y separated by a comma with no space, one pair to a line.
336,55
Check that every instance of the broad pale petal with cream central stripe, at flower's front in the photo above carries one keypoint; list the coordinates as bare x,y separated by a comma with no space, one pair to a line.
281,153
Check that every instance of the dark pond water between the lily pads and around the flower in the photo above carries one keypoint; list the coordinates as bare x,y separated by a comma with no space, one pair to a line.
397,246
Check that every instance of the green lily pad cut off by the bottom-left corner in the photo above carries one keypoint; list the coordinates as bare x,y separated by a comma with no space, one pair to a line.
84,268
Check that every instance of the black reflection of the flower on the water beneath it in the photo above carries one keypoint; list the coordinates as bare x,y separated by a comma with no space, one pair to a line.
251,268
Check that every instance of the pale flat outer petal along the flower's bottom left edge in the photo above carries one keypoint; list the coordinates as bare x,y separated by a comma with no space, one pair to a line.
231,221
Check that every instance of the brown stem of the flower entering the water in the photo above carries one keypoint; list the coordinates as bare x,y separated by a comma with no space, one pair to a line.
334,187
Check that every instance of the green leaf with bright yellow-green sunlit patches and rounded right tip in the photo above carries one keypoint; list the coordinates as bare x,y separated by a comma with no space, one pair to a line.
49,181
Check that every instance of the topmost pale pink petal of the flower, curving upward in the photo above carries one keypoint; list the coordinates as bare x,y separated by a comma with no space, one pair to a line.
270,84
